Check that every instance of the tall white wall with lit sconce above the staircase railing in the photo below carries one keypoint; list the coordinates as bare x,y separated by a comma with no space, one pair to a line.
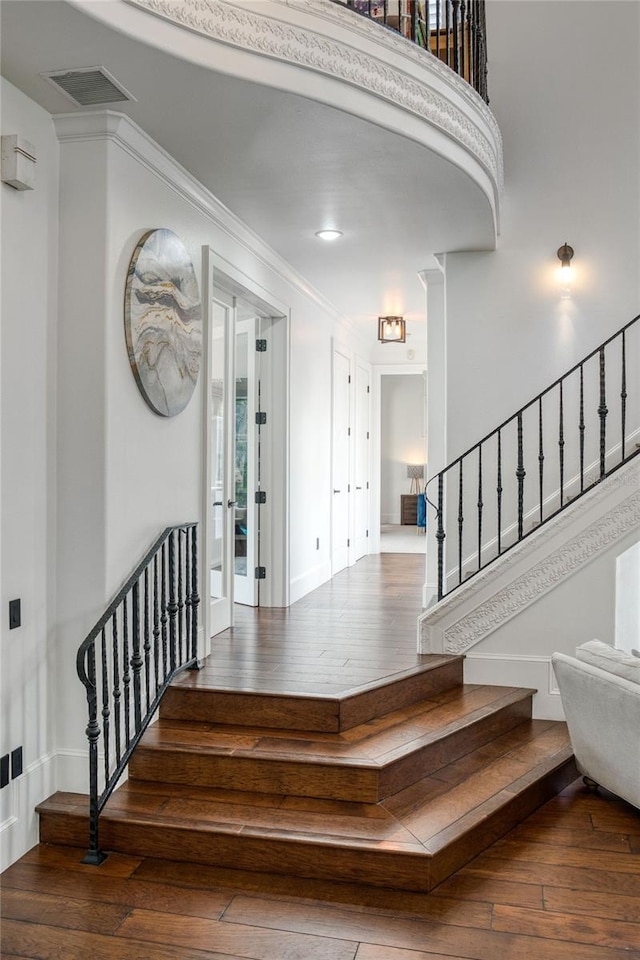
563,83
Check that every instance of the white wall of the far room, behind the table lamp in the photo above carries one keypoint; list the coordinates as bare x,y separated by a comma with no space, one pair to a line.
402,438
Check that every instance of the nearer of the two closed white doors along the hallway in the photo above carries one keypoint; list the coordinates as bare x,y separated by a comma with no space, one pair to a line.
340,463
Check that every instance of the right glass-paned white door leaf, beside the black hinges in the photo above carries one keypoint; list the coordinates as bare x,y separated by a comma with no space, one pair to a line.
246,479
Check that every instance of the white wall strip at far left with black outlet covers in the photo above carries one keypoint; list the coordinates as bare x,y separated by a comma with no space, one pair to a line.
28,479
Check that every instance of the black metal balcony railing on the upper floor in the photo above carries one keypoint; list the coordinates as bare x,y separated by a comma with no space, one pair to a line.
452,30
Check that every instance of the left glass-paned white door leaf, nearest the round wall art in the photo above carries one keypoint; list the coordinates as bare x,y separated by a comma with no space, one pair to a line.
221,456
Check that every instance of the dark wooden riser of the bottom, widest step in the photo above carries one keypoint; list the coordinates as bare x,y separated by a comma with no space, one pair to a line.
322,861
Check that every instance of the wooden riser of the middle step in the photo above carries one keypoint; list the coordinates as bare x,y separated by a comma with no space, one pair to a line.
308,779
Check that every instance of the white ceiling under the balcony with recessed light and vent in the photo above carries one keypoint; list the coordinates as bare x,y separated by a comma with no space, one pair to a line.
286,165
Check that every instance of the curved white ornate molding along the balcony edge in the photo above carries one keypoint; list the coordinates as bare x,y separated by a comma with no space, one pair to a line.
331,41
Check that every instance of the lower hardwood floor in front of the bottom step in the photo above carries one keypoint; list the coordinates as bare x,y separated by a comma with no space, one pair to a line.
563,885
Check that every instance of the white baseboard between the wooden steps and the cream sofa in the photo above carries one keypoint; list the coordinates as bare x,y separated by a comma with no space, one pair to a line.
518,671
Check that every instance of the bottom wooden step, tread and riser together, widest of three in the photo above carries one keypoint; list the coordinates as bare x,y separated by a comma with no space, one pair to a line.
406,844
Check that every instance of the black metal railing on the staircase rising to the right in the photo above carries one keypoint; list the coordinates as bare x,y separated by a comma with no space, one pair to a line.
571,416
